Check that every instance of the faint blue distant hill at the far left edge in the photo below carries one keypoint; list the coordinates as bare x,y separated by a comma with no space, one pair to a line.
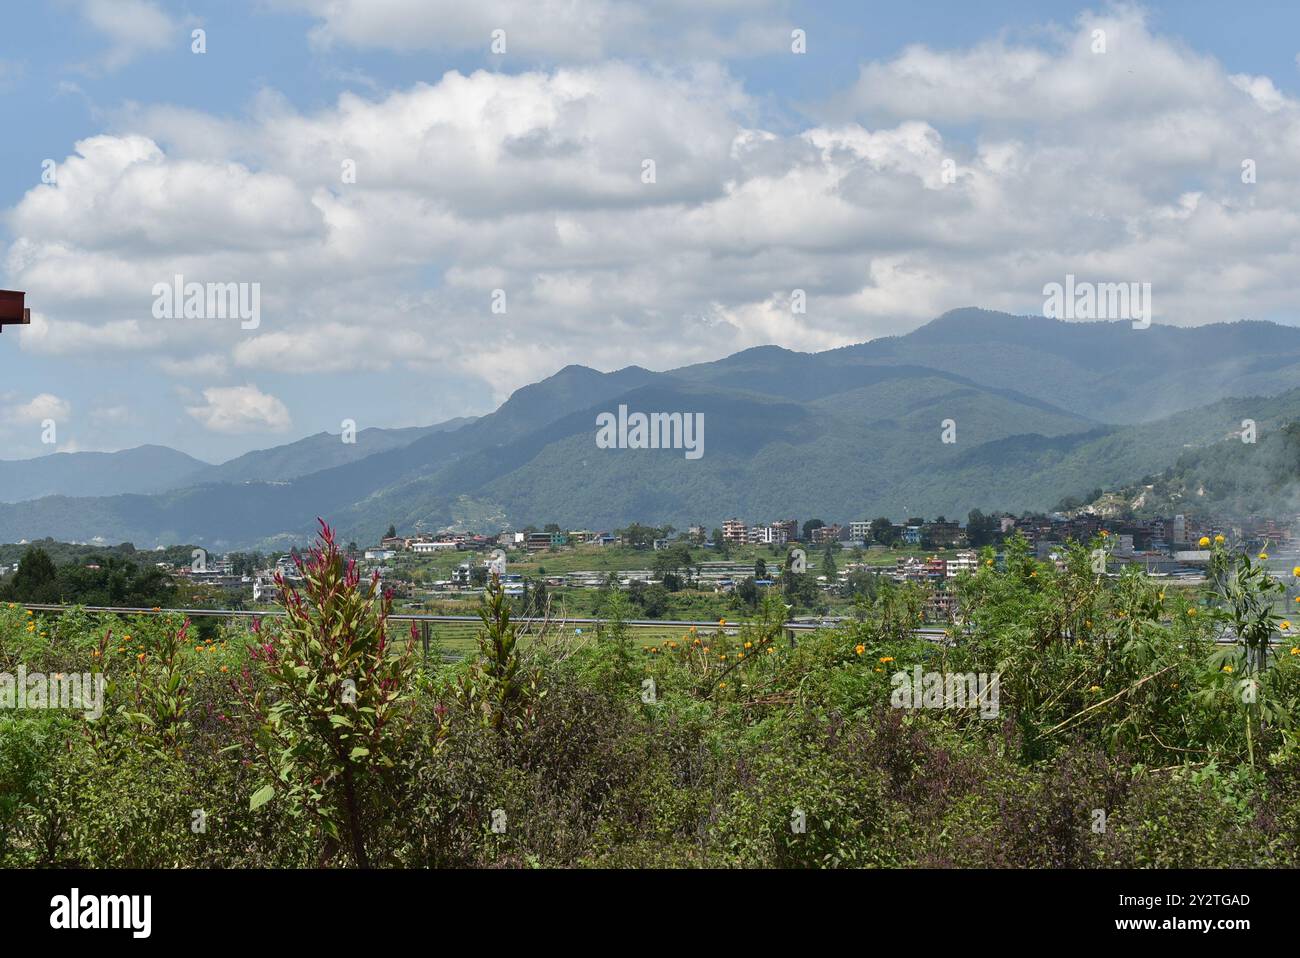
141,470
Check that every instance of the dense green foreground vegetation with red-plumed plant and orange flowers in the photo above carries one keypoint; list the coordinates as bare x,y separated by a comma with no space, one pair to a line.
322,740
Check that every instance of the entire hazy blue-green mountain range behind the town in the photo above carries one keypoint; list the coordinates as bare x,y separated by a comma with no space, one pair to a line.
973,410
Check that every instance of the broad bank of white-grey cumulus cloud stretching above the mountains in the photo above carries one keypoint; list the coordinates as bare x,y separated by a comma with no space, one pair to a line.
942,179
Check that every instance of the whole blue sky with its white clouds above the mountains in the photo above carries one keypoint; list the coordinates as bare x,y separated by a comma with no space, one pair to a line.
775,172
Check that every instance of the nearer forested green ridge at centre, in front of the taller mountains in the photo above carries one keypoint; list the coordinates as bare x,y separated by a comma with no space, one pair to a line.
760,454
